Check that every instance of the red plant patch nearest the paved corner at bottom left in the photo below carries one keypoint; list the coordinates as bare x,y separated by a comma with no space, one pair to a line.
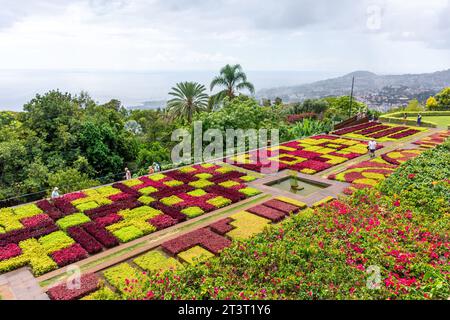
88,284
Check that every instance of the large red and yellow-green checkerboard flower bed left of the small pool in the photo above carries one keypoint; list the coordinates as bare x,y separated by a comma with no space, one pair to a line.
48,235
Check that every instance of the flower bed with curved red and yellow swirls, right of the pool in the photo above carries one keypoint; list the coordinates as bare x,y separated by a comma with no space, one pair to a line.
370,173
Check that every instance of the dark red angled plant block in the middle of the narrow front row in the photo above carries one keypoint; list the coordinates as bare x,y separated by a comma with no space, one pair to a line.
204,237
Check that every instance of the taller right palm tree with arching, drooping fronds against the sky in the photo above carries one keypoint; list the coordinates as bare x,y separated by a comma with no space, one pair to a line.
232,79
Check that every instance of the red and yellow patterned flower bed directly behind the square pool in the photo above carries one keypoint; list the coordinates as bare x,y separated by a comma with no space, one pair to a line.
308,156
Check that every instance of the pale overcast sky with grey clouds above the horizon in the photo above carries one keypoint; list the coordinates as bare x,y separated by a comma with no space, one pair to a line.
385,36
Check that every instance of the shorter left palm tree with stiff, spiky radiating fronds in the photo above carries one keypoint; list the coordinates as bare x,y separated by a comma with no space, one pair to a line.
189,98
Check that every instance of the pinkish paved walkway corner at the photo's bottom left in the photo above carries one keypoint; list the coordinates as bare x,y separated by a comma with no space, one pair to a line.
21,285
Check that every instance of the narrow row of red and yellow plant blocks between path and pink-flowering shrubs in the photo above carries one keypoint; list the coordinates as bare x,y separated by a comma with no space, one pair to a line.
191,248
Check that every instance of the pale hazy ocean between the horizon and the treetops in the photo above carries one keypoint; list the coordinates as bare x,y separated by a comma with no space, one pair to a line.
134,89
